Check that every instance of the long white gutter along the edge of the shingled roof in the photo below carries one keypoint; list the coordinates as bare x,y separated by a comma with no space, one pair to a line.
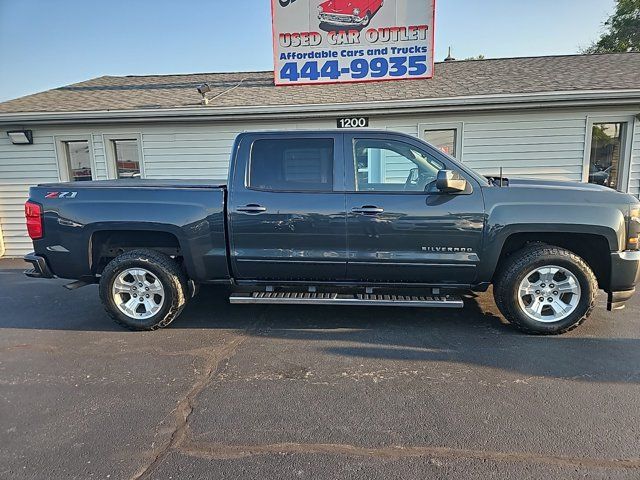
585,98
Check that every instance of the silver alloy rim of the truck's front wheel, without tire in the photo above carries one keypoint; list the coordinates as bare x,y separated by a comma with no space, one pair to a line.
549,293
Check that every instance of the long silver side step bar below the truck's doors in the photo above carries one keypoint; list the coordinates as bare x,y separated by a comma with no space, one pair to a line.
347,299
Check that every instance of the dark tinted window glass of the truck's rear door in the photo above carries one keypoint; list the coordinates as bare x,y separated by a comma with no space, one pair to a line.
292,165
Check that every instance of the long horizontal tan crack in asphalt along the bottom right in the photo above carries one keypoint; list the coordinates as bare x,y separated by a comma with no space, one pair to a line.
216,451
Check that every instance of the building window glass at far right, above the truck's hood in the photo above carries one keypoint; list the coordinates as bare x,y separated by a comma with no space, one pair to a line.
606,153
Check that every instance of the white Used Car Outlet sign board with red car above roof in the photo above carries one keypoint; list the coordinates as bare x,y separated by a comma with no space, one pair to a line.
335,41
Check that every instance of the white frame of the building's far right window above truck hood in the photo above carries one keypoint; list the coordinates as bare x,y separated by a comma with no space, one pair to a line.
625,152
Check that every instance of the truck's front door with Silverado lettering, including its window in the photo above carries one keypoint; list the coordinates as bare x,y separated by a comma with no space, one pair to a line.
400,228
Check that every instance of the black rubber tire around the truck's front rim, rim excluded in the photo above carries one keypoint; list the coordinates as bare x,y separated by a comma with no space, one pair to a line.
518,265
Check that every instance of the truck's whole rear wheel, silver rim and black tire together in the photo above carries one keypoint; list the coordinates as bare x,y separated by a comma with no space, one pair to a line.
143,289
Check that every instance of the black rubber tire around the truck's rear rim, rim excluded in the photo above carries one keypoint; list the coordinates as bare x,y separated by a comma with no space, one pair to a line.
165,269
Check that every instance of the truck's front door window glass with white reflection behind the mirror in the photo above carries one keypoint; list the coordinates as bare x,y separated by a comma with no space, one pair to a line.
392,166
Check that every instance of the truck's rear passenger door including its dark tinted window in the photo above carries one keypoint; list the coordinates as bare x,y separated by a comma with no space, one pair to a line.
287,208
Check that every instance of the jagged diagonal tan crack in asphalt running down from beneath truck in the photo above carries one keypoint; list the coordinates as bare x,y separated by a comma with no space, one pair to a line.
213,361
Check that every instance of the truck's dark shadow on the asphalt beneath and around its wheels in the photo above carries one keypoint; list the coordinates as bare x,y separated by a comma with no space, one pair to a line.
473,335
